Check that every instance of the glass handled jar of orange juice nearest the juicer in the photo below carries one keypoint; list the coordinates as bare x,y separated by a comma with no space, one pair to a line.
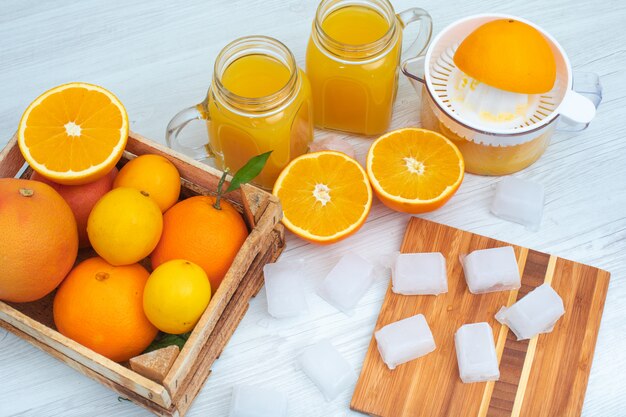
352,62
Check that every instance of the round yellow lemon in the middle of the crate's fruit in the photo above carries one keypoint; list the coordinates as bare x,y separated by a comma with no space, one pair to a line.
124,226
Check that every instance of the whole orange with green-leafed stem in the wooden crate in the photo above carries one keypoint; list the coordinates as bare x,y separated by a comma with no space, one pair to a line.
196,231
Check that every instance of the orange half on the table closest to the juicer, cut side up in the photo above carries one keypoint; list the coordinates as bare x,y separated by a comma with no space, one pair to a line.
414,170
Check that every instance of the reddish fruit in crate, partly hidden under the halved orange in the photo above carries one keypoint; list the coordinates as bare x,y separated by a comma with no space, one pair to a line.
81,199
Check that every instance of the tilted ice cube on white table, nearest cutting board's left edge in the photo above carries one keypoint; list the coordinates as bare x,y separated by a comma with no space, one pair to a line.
347,282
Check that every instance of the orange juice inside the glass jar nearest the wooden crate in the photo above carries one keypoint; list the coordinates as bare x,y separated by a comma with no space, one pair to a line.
258,111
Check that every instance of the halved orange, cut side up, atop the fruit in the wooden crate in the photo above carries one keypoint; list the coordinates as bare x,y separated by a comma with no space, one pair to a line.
74,133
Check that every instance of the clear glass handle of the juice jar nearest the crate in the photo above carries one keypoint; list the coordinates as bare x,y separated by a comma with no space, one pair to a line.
176,125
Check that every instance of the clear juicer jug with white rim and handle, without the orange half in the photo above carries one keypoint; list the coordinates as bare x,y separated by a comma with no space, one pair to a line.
490,149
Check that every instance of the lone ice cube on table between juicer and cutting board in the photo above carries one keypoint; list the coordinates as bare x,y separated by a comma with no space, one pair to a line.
520,201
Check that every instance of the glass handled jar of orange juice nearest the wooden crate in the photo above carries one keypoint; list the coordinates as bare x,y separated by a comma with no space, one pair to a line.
258,101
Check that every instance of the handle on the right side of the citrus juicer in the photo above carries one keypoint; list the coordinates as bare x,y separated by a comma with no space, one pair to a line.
579,105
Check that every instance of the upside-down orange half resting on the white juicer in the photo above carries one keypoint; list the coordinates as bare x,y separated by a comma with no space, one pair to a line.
509,55
